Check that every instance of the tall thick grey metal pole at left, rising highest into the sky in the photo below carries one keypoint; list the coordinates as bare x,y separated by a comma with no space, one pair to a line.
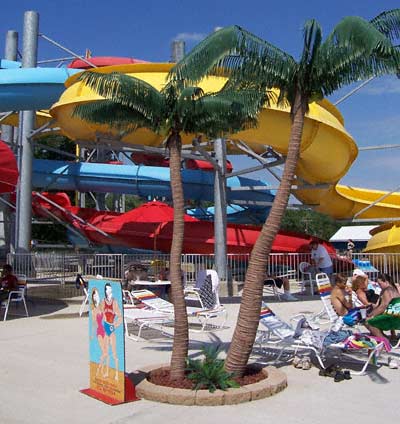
27,120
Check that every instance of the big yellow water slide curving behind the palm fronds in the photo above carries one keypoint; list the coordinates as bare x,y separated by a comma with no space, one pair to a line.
327,150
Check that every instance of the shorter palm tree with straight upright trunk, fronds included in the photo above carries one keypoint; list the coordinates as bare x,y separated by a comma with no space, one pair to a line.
130,103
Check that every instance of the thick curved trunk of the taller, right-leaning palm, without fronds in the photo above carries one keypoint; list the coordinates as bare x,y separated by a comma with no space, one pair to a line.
250,306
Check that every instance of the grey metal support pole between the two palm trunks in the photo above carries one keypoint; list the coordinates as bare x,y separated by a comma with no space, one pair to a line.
220,209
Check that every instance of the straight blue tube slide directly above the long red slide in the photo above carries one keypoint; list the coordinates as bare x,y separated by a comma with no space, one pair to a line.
144,181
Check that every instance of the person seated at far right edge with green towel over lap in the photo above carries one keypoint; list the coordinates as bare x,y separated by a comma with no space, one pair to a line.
386,315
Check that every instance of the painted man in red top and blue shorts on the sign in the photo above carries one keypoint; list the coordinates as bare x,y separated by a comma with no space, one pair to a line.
112,319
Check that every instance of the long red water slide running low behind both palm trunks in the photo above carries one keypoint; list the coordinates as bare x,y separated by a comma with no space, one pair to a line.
150,227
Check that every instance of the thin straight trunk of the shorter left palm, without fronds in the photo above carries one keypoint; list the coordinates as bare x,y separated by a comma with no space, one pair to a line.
181,328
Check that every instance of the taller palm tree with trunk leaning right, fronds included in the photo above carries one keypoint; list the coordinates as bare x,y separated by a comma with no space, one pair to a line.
355,50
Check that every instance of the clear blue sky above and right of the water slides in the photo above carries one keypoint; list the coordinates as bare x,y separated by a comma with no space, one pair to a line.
145,29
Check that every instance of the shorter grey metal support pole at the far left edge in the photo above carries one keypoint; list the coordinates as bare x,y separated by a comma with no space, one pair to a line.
7,228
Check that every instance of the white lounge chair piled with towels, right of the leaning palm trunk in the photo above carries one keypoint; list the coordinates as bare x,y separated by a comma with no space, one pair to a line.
282,335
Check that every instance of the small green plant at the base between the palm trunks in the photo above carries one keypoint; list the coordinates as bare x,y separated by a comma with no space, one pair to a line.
210,373
